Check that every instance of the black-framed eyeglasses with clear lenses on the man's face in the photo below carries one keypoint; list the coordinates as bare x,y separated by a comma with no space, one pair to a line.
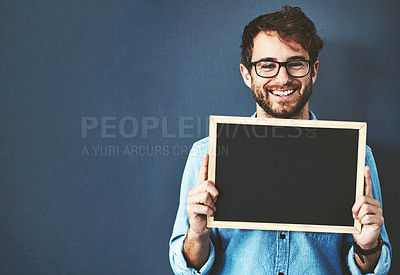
294,68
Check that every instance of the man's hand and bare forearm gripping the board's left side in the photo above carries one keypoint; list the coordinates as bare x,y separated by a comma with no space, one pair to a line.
200,204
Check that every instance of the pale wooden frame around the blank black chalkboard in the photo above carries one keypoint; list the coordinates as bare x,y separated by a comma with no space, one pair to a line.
360,126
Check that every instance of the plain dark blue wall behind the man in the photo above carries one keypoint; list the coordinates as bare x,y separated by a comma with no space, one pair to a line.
62,212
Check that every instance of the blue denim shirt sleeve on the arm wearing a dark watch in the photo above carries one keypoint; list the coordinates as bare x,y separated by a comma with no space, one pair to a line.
386,254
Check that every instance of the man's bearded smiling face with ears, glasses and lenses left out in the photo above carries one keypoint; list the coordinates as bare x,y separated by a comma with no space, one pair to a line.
281,96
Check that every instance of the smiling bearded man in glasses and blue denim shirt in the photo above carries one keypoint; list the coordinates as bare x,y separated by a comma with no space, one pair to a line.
279,64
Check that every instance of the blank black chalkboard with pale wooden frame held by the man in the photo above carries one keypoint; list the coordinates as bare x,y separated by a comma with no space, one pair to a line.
282,174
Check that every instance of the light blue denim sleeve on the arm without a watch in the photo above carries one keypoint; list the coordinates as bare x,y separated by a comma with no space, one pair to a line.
181,226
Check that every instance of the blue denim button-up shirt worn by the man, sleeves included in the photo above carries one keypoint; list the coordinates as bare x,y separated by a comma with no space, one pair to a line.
235,251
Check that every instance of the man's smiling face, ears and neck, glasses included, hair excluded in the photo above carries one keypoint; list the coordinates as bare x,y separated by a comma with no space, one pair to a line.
281,89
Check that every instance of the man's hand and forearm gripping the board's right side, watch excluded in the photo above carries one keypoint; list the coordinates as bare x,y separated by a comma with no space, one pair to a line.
368,211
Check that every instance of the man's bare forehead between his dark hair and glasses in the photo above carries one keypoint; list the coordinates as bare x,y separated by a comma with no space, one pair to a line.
268,45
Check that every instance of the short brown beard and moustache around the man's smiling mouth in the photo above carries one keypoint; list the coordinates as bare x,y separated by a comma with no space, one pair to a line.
285,109
